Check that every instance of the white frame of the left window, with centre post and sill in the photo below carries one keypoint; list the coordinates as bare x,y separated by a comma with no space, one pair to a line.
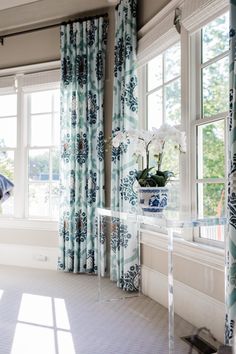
20,217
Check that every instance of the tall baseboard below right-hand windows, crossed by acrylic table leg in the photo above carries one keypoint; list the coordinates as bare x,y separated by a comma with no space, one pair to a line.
192,305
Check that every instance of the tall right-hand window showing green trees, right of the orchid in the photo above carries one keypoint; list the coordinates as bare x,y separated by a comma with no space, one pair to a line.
212,80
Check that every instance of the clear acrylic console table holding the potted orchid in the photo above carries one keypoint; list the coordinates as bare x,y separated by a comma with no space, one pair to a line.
169,221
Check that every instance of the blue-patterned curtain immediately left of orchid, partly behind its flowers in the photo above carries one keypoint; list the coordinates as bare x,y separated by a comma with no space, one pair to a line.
124,248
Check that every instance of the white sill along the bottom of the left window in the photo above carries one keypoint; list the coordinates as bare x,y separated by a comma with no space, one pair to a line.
28,224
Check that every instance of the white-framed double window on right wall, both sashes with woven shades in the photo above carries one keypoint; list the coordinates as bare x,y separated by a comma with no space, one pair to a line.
184,82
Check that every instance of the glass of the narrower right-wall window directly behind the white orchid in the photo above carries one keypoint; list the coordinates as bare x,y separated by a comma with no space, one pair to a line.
163,98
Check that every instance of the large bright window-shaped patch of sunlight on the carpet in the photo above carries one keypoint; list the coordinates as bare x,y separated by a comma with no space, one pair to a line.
43,327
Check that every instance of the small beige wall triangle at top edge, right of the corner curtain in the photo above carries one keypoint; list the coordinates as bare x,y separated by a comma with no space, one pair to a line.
149,8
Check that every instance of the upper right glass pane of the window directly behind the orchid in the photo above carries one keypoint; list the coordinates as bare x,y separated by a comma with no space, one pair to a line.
172,62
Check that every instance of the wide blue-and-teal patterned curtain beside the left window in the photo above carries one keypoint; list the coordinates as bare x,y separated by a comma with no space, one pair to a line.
83,47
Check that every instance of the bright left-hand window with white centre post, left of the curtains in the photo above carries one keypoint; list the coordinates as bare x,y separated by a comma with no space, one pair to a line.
29,144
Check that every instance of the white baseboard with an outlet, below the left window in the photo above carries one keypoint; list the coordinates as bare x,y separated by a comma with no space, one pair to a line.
29,256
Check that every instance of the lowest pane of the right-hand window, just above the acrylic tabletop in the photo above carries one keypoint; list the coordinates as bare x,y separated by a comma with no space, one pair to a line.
211,199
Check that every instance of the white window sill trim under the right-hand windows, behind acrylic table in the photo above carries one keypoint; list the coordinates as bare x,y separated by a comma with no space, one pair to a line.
196,252
